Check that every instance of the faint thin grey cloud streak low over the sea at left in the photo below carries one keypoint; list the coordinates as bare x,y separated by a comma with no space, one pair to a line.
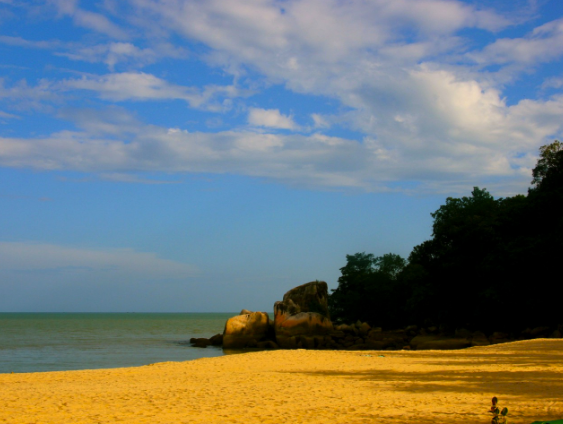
105,264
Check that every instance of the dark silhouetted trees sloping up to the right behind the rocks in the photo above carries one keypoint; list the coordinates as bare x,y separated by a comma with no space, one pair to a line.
490,265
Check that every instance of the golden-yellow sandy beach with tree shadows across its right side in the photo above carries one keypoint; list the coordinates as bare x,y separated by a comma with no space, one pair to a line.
301,386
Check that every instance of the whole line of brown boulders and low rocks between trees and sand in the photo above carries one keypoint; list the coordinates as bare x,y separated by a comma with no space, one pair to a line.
301,320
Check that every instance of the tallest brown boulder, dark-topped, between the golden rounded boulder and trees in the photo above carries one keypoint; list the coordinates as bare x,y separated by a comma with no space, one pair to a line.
302,320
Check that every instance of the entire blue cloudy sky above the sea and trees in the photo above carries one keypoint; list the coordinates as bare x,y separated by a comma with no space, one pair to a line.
209,155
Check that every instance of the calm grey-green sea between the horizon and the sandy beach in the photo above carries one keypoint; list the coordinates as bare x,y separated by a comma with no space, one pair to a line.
35,342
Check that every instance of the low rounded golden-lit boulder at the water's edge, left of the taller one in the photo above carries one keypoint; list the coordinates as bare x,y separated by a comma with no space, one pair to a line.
246,330
